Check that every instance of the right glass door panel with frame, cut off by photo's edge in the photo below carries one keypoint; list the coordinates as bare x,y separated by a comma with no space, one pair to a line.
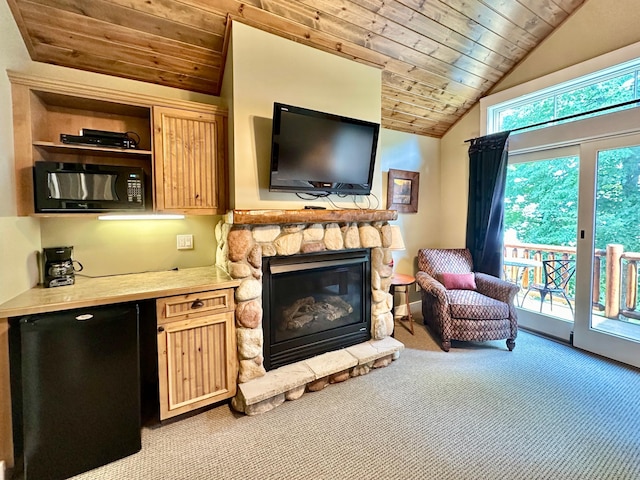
609,324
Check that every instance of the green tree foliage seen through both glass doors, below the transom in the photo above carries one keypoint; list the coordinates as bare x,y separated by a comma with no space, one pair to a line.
541,200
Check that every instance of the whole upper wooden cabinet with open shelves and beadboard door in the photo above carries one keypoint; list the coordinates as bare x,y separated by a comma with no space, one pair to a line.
181,145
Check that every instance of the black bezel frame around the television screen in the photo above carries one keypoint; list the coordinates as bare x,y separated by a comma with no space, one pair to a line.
320,187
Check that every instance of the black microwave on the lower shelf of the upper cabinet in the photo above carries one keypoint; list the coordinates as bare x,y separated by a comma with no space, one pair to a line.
84,187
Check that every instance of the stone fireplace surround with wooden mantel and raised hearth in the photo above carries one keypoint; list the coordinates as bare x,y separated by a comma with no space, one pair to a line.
248,239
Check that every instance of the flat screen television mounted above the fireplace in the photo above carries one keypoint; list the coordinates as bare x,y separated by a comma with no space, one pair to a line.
321,153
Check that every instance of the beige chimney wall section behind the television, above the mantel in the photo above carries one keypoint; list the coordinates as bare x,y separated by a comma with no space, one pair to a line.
266,69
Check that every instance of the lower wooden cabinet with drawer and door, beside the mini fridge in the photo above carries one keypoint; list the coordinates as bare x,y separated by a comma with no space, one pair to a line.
197,363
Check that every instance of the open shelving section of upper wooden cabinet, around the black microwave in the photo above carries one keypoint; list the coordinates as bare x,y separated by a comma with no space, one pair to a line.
44,110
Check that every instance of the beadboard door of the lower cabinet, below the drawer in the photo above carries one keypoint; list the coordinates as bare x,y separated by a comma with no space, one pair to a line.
196,363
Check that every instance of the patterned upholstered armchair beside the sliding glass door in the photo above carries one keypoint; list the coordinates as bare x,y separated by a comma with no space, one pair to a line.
461,312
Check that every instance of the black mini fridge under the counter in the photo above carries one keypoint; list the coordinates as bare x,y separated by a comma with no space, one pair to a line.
76,390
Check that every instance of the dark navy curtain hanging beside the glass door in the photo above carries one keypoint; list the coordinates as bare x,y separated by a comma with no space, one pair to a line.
487,178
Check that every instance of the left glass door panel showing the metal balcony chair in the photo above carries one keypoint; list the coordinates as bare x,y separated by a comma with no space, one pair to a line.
541,215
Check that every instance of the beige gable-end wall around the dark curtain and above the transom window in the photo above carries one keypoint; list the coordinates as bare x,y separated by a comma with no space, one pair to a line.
598,27
